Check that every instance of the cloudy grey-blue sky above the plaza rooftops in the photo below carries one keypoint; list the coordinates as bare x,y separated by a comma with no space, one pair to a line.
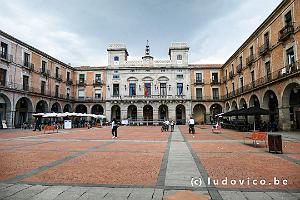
79,31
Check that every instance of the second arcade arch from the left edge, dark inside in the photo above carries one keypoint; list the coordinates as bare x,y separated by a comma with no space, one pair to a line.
24,110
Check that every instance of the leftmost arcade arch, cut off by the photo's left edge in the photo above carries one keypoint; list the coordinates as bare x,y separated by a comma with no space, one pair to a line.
5,110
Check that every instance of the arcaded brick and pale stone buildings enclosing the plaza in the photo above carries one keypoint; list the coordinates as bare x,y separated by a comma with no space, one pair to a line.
263,72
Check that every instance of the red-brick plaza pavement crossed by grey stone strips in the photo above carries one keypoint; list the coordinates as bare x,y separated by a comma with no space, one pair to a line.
143,163
